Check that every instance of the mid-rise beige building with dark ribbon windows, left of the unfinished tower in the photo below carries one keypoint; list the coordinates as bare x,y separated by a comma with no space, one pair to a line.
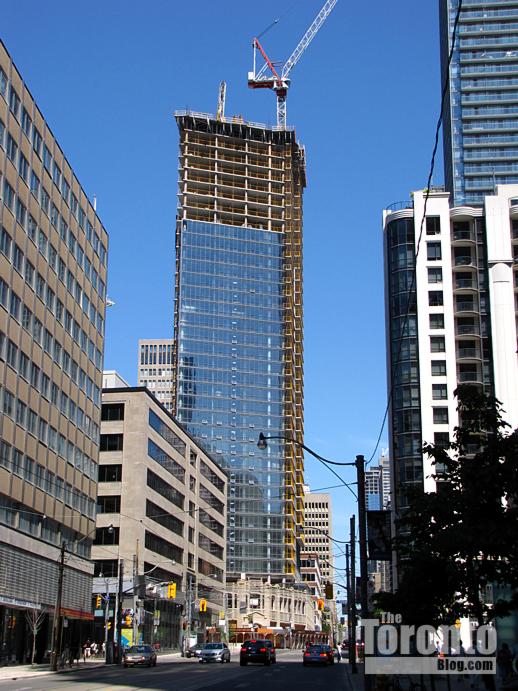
161,514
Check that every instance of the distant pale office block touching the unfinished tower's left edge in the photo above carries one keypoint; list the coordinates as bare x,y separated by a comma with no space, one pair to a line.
155,369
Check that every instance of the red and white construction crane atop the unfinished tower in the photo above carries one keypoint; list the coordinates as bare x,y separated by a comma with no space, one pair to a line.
280,83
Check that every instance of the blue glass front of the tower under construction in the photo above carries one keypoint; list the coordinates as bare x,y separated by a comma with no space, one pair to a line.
230,376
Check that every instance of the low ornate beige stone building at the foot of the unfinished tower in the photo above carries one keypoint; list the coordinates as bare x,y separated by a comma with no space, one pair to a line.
283,609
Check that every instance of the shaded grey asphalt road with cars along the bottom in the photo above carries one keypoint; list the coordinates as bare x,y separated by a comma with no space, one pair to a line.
188,675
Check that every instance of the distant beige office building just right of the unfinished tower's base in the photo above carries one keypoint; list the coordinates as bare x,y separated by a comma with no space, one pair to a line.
318,527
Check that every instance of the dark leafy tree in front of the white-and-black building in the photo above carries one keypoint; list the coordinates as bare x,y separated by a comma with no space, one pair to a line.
457,541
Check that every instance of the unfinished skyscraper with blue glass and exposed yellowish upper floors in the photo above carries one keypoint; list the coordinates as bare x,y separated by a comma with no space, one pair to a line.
238,326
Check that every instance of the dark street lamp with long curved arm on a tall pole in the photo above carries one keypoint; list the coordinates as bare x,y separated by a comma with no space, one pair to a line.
359,464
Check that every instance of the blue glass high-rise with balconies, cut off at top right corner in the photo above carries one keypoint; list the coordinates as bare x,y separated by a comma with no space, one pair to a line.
481,113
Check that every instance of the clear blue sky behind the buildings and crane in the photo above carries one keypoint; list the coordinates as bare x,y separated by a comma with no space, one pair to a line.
364,100
